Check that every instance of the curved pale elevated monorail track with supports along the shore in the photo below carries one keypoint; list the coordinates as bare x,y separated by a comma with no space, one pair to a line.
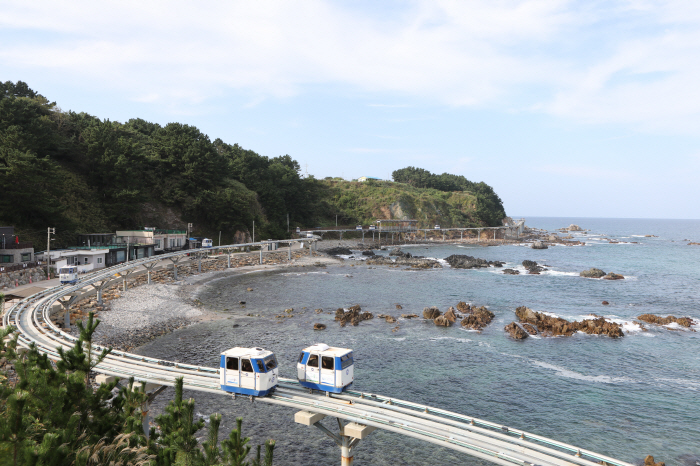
357,413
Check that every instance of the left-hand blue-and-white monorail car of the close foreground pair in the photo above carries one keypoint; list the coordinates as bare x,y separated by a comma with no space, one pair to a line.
248,371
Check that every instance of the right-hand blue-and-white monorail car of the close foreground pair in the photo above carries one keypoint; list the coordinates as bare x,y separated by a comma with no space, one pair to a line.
326,368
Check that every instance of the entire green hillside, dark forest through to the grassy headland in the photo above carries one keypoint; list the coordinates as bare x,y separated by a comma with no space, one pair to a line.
81,174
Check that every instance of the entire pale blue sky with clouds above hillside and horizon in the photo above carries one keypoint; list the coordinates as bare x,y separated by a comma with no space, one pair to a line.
567,108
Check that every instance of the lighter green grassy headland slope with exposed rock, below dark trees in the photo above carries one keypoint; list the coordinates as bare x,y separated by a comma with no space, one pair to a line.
363,203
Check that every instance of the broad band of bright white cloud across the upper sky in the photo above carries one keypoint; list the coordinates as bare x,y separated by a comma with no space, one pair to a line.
627,62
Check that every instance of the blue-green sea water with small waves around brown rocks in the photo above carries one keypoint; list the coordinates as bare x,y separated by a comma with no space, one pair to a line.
626,397
